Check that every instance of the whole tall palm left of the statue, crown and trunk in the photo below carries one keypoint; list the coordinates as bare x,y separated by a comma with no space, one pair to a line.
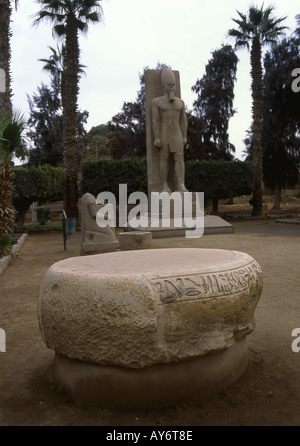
69,17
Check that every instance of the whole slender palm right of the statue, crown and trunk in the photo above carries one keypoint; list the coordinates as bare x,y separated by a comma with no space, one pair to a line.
257,29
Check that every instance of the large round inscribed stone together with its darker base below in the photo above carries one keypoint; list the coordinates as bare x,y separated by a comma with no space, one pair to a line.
162,325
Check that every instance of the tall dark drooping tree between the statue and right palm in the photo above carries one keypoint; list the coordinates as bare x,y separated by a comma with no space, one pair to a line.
214,105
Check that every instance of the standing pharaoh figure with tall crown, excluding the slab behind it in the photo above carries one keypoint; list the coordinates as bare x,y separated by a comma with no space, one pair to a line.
170,132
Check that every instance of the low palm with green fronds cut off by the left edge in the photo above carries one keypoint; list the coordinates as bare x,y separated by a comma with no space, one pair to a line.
12,126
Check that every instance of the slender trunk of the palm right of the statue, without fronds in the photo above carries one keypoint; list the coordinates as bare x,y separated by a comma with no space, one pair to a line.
257,125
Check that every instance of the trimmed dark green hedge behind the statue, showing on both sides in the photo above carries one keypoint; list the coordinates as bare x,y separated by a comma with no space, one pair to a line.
217,179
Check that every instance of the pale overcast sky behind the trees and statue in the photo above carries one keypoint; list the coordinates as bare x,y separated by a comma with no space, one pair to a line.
135,34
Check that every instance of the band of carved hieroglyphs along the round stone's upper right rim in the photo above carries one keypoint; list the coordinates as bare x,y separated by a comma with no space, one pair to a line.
205,286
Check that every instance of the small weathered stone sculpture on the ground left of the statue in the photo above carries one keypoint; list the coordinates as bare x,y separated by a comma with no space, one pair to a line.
94,240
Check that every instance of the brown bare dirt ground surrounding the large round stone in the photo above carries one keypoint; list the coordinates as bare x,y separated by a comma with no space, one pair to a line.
267,394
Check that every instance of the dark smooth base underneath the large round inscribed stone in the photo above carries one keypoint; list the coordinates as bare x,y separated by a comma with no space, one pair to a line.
159,385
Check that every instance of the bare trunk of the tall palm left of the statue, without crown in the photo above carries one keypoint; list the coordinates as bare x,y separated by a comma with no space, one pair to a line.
69,102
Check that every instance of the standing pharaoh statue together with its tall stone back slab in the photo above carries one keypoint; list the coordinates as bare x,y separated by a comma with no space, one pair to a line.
166,130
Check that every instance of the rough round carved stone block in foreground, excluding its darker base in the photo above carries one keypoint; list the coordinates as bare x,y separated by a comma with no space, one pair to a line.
139,308
